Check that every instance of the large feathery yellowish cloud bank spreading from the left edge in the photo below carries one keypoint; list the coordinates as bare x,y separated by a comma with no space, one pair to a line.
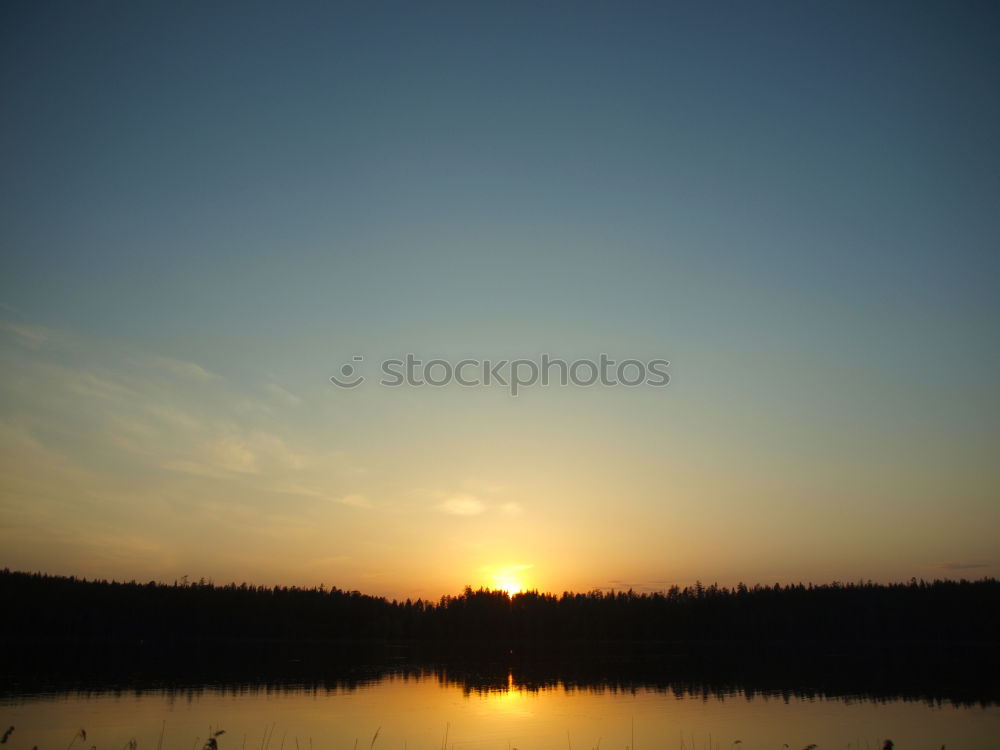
115,457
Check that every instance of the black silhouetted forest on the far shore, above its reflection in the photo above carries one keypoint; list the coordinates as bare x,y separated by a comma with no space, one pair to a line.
40,606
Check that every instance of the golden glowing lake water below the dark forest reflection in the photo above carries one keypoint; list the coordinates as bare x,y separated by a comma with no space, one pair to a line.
417,711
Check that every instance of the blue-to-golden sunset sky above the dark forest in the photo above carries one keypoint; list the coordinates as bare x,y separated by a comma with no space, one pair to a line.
208,209
